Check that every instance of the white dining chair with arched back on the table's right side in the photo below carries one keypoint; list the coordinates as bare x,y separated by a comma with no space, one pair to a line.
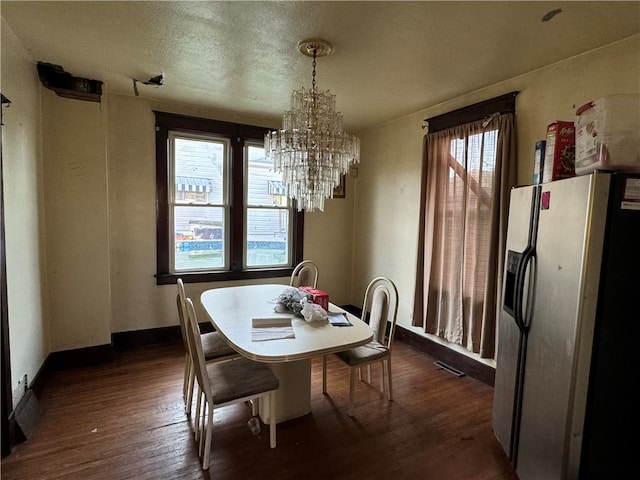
381,308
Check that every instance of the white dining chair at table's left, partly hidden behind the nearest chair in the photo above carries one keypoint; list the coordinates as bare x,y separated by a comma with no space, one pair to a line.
215,349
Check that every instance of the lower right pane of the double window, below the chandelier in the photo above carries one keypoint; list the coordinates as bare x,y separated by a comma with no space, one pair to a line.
267,237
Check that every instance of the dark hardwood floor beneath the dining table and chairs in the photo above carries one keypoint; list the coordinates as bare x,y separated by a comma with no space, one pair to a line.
125,420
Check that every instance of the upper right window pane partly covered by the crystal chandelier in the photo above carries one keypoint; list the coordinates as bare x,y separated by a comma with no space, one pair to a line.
265,186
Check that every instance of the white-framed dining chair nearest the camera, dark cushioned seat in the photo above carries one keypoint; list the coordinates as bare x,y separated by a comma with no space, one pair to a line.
225,383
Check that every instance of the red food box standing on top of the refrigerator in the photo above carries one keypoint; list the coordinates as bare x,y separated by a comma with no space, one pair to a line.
560,152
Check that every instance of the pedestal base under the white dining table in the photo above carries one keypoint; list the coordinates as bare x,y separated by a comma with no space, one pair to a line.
293,398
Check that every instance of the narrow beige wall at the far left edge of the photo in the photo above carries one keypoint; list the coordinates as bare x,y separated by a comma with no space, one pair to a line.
23,207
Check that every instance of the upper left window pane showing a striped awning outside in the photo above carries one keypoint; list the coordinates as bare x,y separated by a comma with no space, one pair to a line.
199,171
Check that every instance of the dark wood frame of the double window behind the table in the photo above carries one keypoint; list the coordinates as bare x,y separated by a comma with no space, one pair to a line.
238,135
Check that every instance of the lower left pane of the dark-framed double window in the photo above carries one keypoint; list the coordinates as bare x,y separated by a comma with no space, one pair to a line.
200,238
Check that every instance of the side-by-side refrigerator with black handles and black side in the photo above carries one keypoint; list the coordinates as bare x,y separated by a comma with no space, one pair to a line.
565,397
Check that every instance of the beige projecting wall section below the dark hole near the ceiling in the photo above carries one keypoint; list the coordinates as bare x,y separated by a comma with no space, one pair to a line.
77,246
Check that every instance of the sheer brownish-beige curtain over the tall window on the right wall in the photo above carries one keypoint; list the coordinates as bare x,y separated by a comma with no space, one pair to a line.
468,172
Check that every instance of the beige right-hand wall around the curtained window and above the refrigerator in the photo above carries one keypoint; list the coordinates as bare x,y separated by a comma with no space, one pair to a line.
388,184
